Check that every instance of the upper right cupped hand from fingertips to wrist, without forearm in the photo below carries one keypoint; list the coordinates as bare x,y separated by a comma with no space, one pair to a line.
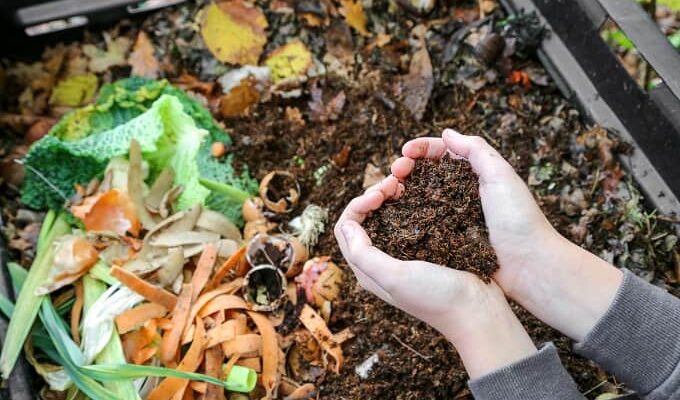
518,230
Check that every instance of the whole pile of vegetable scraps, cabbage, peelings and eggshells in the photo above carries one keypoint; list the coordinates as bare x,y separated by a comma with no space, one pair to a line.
143,285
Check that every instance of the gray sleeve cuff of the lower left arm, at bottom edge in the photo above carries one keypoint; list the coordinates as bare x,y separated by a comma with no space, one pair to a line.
538,377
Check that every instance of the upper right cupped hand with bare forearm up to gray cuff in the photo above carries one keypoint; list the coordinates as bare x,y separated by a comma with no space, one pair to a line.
560,283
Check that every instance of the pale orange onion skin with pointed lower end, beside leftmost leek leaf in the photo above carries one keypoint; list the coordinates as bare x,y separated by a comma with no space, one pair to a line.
74,256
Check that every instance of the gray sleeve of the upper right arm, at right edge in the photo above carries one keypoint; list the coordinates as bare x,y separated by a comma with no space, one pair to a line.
638,339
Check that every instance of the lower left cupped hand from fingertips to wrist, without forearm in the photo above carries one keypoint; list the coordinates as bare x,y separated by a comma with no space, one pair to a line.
438,295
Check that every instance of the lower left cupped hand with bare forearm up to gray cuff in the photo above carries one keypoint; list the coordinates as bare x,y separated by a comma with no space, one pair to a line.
473,315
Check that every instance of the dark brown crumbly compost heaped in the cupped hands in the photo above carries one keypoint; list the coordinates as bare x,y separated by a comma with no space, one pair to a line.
438,219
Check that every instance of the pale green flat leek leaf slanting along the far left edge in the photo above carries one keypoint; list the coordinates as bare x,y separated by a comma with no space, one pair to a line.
28,304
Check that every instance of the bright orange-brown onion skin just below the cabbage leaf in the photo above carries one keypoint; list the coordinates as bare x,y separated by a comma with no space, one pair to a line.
109,211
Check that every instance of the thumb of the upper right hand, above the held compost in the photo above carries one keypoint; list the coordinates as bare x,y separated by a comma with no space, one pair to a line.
483,158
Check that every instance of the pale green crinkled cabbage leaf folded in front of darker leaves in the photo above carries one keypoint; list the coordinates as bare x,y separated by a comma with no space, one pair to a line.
166,134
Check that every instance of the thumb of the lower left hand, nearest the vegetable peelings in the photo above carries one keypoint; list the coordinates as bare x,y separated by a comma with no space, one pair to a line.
386,271
